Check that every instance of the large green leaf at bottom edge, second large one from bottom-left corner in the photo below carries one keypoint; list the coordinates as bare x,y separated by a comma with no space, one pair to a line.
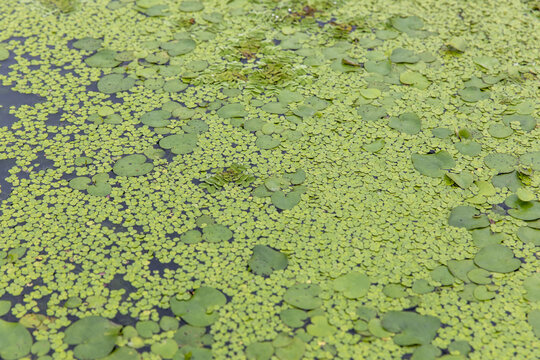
93,336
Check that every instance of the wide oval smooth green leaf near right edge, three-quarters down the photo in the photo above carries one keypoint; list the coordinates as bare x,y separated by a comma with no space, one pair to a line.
497,258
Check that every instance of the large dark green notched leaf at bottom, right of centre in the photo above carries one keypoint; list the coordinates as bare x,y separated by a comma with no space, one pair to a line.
412,328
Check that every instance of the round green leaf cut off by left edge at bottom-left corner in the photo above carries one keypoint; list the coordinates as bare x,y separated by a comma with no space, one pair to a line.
15,340
